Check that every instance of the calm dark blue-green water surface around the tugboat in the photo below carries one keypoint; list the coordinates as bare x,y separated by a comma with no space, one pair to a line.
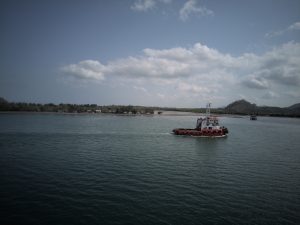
100,169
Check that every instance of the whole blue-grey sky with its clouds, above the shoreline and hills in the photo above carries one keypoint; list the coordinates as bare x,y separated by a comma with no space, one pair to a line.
173,53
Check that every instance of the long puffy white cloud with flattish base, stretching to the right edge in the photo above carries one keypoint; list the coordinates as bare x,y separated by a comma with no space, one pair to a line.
280,65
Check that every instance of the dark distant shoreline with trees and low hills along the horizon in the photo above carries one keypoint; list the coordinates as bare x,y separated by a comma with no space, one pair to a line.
237,108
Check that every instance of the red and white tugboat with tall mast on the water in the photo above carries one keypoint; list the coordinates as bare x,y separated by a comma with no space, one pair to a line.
205,127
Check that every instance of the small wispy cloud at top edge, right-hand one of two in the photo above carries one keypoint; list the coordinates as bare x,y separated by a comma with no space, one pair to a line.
191,8
